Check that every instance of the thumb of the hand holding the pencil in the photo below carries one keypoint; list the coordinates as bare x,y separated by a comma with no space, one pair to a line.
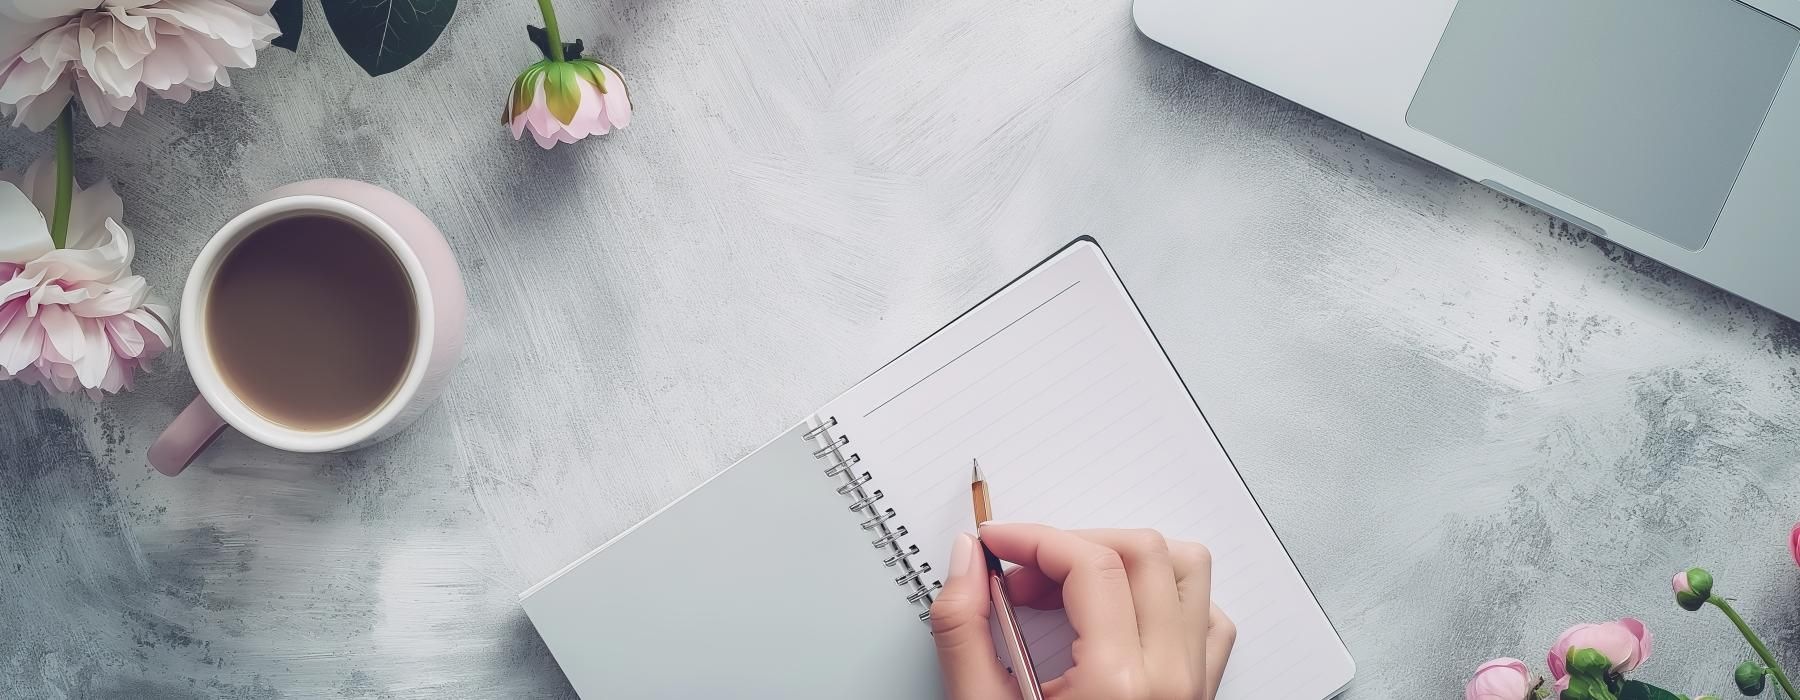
960,627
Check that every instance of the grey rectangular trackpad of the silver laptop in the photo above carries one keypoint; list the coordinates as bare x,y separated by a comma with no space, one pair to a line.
1639,109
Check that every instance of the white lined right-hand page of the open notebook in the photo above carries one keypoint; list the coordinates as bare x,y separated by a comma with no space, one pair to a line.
1063,393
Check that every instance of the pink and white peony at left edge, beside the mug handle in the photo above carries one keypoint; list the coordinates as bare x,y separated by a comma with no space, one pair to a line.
73,318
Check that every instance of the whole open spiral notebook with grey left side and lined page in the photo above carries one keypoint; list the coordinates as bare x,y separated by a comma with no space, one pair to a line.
805,570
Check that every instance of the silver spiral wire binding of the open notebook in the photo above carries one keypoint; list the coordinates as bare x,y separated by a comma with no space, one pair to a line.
863,499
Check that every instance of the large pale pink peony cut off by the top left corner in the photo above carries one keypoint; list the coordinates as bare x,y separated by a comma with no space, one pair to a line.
116,53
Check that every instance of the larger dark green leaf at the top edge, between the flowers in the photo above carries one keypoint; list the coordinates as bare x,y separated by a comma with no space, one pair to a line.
386,35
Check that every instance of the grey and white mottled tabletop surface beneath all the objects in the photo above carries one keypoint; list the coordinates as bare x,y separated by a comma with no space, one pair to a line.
1471,426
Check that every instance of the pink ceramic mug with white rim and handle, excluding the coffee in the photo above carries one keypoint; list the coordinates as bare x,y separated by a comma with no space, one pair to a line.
436,289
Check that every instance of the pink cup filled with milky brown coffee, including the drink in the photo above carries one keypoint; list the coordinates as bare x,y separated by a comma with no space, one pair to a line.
325,318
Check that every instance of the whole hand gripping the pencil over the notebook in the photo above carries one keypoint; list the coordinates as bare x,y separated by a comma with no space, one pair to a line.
1140,607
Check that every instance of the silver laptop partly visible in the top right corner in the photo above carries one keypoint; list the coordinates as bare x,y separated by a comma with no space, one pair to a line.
1669,127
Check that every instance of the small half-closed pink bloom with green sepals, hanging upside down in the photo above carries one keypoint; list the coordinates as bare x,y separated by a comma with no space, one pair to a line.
566,102
